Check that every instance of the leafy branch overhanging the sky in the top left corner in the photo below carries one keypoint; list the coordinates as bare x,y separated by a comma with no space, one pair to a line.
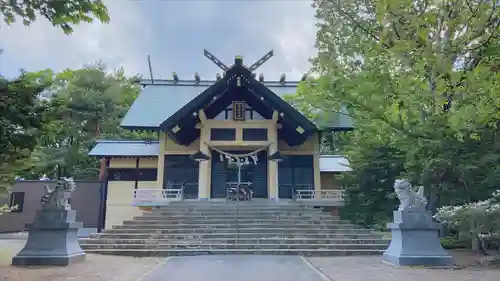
62,14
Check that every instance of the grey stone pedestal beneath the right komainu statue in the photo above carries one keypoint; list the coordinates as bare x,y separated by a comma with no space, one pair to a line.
415,241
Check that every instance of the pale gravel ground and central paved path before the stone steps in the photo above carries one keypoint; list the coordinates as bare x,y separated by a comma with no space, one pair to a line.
262,268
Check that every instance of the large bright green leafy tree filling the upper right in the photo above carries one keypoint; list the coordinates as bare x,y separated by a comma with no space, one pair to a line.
425,75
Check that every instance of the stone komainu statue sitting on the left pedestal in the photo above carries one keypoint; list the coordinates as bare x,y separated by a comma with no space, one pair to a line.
58,197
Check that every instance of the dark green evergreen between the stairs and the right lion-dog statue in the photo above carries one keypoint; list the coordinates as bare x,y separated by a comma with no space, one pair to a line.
368,189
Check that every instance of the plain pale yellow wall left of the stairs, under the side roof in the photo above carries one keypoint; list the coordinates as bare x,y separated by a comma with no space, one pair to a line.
118,203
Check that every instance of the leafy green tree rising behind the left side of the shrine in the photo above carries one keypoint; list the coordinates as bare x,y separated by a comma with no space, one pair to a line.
84,105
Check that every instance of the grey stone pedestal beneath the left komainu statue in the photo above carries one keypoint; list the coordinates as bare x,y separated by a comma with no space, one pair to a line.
52,240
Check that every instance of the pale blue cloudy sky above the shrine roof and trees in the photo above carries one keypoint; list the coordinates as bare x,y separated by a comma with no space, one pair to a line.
174,33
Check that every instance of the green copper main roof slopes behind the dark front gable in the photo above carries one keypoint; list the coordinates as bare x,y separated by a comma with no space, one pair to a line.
158,101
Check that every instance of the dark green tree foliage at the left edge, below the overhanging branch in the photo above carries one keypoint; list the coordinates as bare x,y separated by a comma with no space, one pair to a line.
22,116
